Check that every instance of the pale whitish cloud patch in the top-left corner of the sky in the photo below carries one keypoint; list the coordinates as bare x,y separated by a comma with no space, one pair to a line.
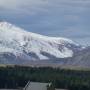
13,4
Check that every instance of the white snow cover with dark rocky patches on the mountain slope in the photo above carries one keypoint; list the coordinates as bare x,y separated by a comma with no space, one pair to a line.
34,46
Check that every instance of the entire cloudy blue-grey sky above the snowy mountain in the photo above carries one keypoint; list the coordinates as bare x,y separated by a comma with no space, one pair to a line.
61,18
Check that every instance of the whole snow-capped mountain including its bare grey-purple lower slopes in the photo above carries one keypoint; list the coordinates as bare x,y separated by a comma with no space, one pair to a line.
18,46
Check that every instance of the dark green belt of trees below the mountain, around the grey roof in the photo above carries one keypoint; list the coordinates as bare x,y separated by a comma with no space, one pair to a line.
13,77
